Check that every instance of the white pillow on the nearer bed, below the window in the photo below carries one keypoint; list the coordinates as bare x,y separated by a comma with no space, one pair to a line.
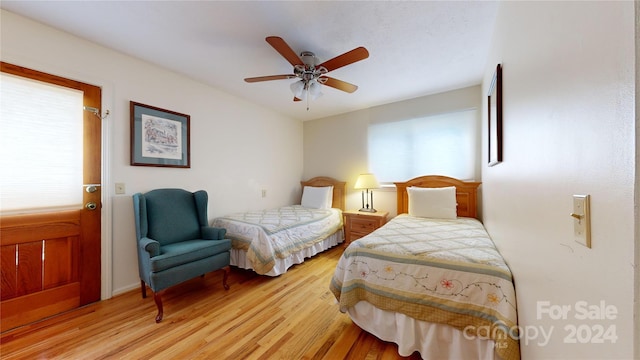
437,203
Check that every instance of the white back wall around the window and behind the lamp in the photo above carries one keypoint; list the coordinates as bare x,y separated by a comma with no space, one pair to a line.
337,146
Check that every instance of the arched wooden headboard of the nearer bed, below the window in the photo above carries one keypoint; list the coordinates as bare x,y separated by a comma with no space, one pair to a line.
466,193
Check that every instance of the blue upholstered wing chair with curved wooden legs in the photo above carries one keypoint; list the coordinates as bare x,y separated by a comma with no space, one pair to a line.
175,242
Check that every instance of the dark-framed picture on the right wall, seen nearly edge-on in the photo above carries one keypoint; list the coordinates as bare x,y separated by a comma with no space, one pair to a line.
494,106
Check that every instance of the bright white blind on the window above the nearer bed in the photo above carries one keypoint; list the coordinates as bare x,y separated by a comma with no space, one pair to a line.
444,144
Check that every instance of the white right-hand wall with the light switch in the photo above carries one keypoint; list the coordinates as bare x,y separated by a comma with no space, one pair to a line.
568,72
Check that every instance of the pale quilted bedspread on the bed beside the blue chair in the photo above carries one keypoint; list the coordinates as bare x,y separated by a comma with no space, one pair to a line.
276,233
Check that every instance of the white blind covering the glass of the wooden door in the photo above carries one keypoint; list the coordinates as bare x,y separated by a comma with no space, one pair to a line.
40,146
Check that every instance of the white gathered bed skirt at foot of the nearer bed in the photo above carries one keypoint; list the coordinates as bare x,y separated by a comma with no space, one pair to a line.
431,340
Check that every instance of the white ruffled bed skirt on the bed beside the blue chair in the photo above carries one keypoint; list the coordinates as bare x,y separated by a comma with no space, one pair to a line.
239,259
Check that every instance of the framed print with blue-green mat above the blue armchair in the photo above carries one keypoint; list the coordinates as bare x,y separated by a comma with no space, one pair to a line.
159,137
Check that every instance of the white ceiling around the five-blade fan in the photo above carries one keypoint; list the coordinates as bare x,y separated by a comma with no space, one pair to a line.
416,47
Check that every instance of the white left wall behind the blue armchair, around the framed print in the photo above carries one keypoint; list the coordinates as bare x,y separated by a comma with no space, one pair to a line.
237,148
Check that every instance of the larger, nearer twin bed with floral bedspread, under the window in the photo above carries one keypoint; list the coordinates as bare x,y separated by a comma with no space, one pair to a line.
431,280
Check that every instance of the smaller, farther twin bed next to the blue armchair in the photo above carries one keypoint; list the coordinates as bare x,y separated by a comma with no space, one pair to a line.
271,241
